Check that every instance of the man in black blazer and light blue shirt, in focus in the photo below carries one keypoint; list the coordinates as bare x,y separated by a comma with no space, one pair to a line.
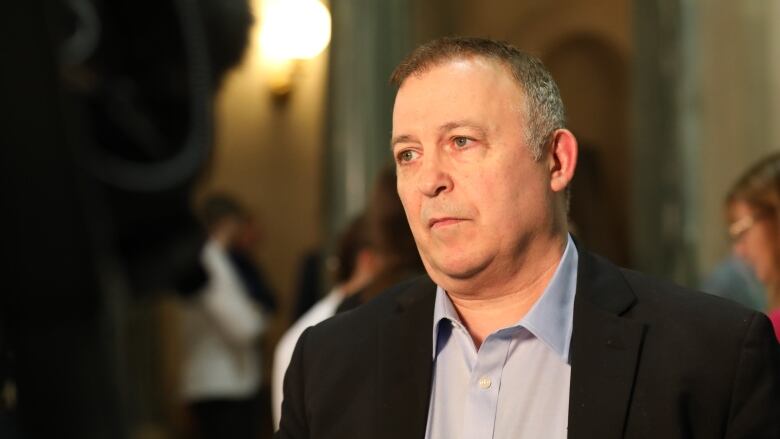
517,332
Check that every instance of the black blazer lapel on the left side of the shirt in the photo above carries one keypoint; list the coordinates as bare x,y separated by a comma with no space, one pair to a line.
405,364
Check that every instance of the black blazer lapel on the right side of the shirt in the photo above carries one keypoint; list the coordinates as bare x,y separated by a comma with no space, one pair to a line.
604,352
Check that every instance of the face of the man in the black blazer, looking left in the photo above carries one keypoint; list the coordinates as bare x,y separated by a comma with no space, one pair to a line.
474,197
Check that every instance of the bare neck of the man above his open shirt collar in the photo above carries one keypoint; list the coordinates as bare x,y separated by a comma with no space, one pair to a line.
497,306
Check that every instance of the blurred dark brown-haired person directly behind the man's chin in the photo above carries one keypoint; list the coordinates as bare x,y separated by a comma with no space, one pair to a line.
389,234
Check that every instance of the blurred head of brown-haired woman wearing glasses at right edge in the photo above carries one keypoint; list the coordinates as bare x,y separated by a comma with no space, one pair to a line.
753,209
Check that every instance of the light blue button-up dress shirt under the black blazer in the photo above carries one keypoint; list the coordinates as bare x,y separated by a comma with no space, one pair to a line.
517,384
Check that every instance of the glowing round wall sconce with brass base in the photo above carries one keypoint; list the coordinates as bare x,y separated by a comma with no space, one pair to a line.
291,31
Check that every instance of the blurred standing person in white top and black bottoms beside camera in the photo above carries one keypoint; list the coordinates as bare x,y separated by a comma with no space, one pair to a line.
221,329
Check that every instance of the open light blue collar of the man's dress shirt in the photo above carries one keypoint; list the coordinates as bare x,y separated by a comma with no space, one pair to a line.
550,319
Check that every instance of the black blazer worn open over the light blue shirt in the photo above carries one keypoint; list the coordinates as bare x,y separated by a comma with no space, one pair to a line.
649,360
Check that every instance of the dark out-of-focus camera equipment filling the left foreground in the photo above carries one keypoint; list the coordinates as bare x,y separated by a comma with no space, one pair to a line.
106,126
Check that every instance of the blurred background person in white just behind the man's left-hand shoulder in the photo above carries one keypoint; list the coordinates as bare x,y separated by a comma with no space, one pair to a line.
356,264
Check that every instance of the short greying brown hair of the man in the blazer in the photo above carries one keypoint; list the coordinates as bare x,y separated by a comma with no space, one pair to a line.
544,107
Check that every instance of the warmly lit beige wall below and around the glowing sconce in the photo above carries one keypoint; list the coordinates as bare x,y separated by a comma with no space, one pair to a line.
268,154
